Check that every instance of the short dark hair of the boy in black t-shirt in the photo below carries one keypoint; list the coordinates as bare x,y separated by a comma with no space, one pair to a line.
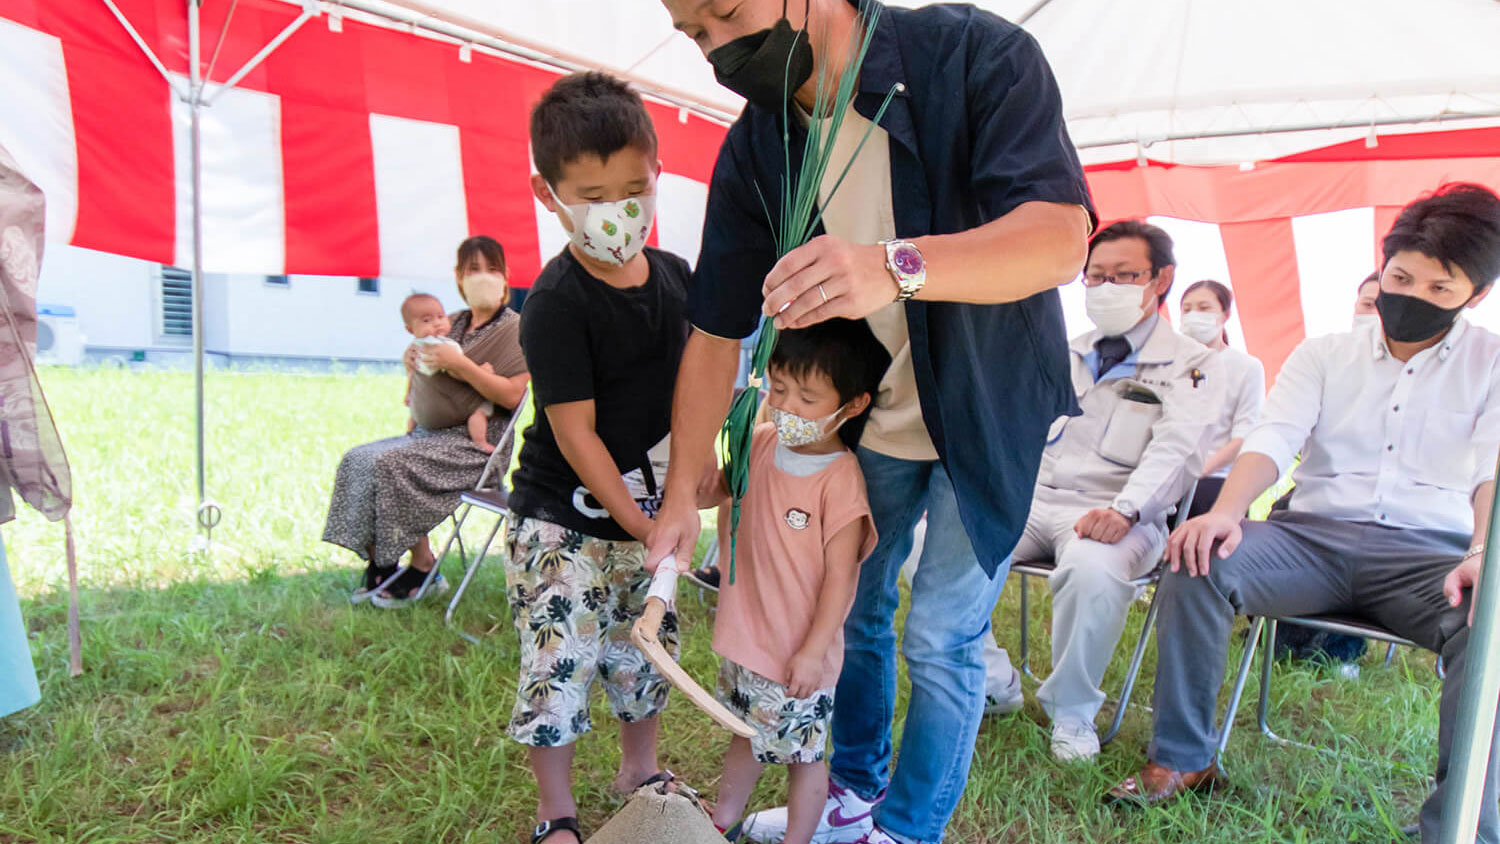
587,113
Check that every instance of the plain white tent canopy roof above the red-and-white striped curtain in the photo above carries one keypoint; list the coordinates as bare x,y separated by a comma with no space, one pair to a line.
1142,76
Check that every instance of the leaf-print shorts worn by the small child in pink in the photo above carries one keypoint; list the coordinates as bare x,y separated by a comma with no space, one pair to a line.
788,731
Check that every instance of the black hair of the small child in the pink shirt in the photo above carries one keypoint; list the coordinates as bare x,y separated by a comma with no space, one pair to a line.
844,350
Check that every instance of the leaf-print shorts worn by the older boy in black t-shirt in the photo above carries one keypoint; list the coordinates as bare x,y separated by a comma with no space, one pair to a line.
574,600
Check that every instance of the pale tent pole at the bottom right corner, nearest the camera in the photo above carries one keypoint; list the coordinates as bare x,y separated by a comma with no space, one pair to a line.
1477,705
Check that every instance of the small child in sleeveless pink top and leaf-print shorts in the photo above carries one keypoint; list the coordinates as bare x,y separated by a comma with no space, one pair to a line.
805,530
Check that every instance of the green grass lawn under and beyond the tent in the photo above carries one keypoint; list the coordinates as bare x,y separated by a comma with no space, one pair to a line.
238,696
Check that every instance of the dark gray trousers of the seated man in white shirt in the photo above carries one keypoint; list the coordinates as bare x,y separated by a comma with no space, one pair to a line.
1304,564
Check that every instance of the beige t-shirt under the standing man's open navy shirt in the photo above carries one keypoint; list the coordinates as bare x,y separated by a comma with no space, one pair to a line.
862,212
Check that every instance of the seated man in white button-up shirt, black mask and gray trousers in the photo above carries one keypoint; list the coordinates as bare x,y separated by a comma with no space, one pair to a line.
1399,426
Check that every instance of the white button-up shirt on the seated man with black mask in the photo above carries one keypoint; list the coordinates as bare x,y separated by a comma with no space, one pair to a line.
1400,444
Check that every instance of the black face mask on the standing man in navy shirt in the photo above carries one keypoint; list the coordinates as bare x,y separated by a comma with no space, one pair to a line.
767,67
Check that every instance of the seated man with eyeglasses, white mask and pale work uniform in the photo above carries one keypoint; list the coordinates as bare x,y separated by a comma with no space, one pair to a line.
1112,477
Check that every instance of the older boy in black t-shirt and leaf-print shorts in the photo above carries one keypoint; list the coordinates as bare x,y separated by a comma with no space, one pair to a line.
604,331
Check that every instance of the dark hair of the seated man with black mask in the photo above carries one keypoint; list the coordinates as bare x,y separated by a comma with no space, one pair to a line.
1457,226
